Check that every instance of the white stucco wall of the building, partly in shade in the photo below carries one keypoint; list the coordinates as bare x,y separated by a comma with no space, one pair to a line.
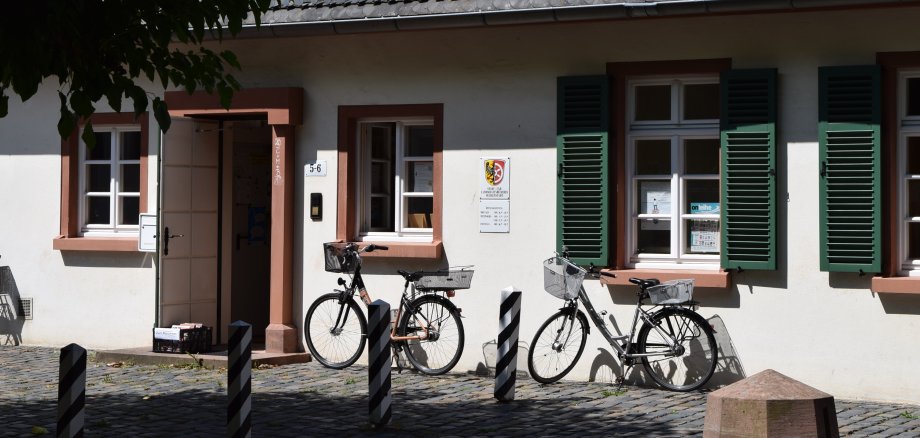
497,86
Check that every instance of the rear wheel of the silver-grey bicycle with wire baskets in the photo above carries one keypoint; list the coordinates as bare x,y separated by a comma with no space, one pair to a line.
692,360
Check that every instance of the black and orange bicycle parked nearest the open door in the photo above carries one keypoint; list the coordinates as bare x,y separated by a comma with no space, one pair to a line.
428,327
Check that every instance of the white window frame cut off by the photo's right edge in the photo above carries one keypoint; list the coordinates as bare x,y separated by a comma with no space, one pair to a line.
908,126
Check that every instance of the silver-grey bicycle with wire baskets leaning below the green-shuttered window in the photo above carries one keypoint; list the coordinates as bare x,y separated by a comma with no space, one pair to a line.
675,345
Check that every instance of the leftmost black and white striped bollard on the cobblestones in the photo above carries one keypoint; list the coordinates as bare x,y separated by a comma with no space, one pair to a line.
71,391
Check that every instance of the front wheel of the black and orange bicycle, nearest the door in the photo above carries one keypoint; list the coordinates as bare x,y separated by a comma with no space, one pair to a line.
335,331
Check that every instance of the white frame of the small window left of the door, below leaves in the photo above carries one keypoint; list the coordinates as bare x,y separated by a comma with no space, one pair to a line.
114,227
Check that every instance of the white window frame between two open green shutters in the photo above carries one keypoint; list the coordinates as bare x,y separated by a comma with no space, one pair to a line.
676,131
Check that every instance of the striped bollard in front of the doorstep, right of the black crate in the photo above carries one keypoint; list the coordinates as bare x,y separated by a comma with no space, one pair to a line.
239,380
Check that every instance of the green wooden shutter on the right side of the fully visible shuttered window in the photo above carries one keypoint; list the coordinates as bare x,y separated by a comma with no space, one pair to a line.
748,140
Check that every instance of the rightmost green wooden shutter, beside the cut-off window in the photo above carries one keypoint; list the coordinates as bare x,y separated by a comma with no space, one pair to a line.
850,154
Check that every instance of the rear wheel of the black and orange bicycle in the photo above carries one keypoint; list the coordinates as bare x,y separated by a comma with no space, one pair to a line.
444,344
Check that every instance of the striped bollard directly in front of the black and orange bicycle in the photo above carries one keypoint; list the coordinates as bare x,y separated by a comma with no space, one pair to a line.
378,343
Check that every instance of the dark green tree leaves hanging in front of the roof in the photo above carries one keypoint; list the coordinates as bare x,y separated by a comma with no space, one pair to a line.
100,49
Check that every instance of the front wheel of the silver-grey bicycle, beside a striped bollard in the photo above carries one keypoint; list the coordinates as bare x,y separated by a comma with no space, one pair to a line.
557,346
